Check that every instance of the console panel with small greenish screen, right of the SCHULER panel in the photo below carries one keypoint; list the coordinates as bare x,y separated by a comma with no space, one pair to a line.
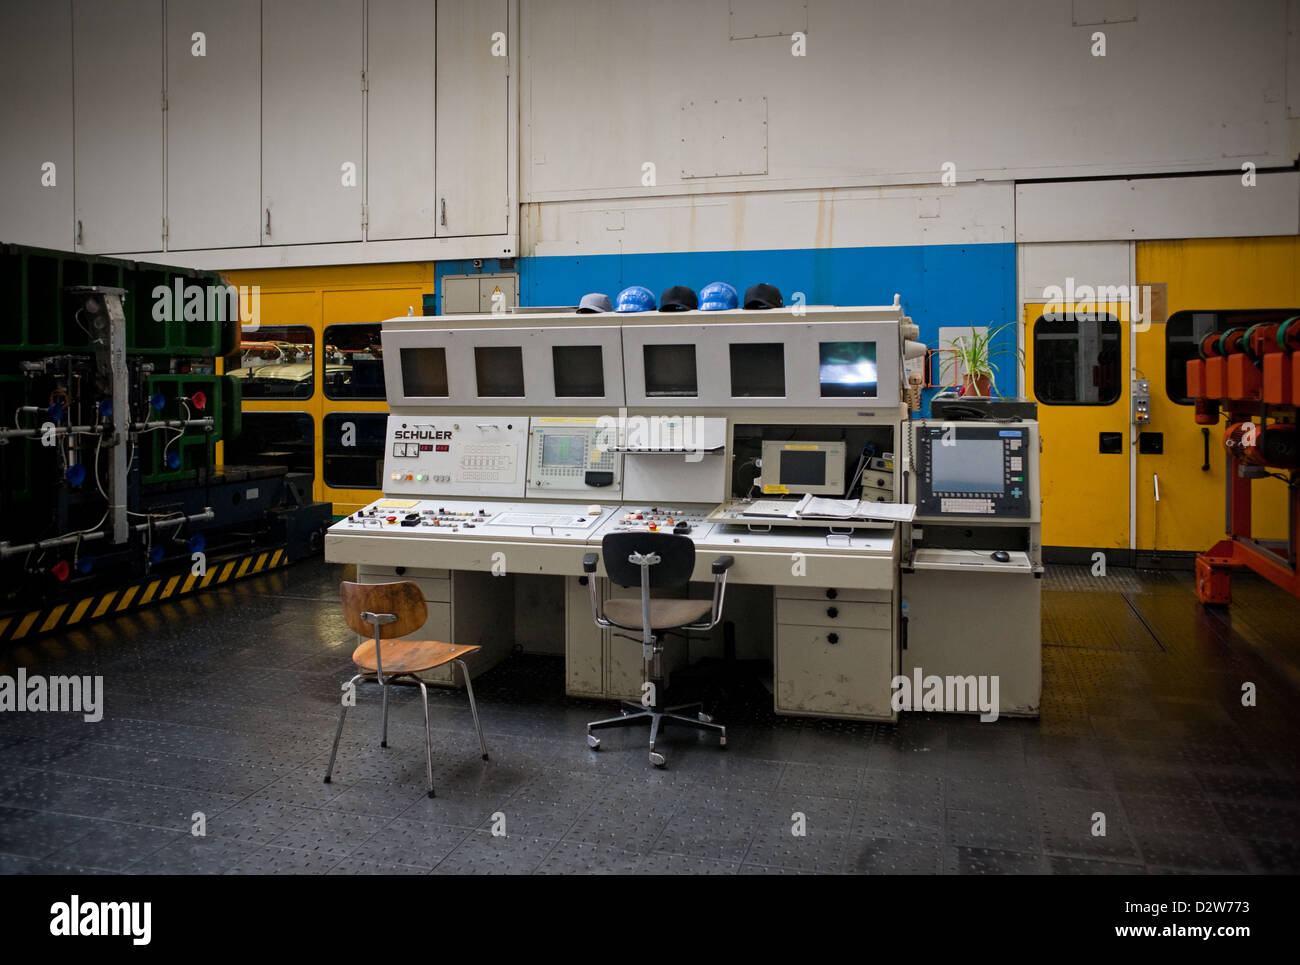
566,458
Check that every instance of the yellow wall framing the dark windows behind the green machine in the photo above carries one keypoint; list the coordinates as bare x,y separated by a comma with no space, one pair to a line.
320,297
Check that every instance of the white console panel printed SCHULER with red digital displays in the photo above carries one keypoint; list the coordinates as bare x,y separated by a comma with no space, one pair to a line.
456,456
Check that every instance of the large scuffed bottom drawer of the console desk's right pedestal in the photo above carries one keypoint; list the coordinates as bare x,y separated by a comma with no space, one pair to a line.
848,678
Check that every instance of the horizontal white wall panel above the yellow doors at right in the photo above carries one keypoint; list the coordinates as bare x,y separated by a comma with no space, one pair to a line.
1204,207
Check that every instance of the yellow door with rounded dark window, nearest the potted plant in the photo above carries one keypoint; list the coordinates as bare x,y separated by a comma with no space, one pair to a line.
1077,369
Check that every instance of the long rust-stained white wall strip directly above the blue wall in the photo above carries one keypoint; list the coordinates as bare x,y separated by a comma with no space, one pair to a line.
847,218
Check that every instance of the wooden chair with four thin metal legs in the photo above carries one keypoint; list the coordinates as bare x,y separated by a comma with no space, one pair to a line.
392,611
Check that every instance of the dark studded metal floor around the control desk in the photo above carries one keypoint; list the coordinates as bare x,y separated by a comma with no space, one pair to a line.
226,706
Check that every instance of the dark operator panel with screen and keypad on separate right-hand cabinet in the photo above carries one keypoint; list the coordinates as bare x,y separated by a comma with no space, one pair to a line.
968,470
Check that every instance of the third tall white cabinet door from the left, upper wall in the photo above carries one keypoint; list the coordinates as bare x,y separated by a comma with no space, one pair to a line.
214,139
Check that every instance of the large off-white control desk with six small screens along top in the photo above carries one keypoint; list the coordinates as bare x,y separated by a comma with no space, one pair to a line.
510,455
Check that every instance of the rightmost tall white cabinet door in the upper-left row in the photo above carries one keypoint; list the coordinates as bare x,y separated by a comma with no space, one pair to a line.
473,150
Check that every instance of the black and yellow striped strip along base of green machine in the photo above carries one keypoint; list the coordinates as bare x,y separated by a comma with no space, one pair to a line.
125,599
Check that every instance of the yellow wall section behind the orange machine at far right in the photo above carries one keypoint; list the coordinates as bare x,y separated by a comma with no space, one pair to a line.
1203,275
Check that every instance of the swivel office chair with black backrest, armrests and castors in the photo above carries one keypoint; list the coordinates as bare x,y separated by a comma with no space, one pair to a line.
655,561
